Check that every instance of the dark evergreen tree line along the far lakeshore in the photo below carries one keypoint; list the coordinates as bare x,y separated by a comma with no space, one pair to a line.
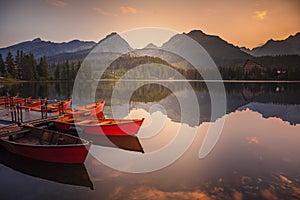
25,67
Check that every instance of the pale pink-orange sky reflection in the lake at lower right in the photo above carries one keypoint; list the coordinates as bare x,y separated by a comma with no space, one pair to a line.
255,158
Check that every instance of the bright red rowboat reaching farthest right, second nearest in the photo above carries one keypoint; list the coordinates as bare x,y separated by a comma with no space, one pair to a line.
89,125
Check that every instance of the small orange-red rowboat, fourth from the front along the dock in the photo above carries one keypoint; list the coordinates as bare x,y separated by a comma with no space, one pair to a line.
54,107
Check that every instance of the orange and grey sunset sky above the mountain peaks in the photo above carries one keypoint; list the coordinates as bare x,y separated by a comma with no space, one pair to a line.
240,22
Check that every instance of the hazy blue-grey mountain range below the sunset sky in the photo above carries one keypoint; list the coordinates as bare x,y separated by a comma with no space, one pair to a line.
222,52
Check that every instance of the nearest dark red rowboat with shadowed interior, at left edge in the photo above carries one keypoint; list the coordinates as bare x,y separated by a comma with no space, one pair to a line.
45,145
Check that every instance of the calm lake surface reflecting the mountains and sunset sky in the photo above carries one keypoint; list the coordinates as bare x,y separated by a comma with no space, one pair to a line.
256,156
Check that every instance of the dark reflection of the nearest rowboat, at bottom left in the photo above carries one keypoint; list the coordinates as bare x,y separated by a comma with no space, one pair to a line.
72,174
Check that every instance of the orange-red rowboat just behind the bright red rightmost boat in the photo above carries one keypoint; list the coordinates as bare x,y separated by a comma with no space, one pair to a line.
87,110
